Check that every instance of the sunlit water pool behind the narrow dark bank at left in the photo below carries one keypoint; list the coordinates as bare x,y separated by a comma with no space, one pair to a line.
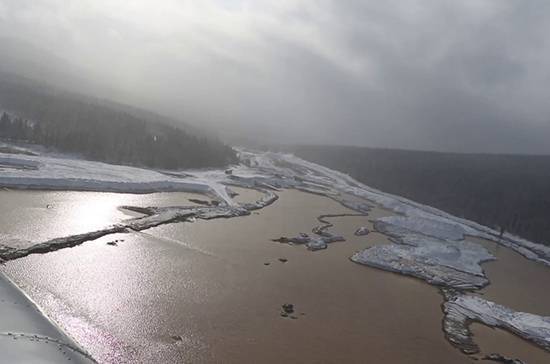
38,216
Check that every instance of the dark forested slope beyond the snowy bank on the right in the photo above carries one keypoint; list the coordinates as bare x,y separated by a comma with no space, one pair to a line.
512,191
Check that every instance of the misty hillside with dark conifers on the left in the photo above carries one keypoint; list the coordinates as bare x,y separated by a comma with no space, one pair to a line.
74,124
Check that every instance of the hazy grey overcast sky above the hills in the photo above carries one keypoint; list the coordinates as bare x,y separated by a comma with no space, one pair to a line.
468,75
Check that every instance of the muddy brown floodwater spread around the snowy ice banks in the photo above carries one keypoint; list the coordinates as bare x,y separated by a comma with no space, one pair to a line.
211,291
